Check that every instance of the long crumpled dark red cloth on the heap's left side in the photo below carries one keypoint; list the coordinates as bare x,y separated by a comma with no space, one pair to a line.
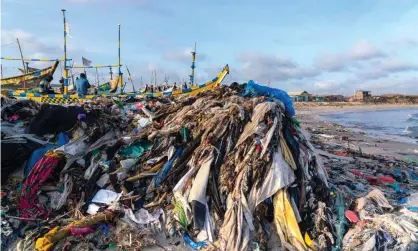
28,204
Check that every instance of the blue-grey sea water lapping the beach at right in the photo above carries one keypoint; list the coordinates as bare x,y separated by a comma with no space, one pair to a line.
400,125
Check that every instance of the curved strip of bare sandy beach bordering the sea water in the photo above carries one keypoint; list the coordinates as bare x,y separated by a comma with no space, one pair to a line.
338,137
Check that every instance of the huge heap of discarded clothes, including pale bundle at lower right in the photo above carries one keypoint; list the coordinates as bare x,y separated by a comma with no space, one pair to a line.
230,169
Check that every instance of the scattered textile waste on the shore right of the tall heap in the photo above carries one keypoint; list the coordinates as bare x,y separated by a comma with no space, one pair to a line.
378,194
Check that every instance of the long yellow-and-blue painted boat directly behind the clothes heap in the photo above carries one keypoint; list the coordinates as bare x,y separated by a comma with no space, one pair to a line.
73,98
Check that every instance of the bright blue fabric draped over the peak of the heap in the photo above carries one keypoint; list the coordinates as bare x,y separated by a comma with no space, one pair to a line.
254,90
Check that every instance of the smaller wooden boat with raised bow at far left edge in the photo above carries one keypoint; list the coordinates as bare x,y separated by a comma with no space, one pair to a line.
28,80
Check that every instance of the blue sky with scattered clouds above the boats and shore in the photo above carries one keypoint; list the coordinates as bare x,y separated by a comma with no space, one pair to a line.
324,47
